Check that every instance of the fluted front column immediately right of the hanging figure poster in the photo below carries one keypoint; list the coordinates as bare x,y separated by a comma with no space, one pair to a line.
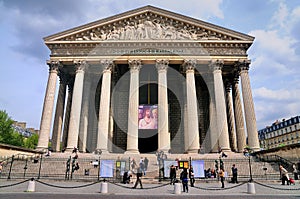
163,115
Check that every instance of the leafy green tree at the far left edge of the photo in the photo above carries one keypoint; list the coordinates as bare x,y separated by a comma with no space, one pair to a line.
7,133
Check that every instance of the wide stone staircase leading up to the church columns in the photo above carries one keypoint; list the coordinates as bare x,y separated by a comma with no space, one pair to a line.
54,167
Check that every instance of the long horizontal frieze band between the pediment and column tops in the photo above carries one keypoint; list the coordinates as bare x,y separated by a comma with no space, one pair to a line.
153,49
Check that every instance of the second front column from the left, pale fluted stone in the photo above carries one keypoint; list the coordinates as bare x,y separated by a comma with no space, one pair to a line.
76,106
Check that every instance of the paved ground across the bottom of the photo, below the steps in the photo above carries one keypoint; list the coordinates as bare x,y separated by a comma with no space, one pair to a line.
210,190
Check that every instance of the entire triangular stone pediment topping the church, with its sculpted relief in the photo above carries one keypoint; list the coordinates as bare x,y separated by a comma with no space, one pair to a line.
148,23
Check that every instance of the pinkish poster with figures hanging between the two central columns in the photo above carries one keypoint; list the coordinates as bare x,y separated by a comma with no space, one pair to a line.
148,116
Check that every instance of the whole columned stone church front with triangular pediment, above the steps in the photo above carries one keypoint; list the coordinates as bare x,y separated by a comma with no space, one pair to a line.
147,80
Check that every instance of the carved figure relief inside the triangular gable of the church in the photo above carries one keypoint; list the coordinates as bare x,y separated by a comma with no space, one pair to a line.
147,29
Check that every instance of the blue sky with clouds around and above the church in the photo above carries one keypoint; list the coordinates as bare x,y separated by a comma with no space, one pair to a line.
274,72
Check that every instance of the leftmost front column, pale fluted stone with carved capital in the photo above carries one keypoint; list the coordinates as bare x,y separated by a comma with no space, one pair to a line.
48,106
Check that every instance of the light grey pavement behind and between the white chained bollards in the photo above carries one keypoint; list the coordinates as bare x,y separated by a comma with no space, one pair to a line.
164,189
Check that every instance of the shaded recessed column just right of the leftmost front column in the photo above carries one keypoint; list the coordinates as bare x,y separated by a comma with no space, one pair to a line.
59,113
